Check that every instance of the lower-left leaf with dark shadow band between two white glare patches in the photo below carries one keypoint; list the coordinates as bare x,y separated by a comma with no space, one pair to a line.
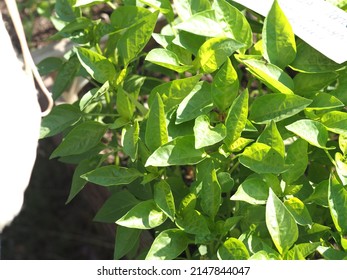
144,215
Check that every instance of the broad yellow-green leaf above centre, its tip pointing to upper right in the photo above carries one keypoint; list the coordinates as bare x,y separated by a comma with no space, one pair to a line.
173,92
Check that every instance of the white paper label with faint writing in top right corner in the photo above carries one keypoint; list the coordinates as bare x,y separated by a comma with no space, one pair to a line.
318,23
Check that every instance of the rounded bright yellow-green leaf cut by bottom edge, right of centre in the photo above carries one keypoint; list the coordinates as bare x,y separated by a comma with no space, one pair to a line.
232,249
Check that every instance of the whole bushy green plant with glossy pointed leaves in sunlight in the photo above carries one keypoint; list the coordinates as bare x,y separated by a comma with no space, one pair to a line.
226,140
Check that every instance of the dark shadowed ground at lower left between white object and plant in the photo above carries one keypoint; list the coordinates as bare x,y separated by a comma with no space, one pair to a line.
46,228
